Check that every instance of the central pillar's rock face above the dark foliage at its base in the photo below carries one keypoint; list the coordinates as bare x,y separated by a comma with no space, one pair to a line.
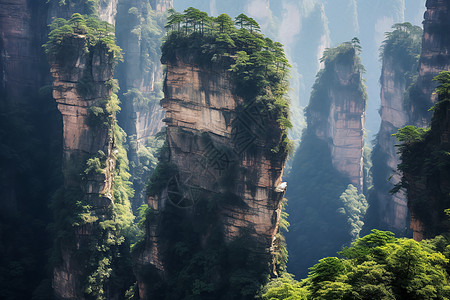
223,152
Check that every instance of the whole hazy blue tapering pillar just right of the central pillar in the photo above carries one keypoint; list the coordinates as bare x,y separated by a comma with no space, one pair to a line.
326,181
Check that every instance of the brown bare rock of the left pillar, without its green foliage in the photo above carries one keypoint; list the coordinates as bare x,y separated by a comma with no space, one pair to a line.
81,141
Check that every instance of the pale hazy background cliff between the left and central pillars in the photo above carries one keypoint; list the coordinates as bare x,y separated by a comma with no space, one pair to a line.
135,74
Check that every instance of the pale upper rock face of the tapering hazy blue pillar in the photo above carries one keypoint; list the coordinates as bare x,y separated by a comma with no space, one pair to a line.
342,127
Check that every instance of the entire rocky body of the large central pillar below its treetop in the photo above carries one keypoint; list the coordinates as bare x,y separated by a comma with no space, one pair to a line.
219,187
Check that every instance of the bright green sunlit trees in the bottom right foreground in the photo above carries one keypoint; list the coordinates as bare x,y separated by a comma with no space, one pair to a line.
377,266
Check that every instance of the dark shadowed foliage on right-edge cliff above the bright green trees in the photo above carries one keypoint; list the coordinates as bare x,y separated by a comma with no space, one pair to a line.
425,155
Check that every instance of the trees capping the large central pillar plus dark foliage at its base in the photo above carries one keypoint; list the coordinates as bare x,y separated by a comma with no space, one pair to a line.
200,261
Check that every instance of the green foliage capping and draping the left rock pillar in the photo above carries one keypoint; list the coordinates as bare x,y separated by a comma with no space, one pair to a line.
106,222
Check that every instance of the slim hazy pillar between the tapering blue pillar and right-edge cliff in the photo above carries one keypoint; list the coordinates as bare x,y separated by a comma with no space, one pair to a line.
399,58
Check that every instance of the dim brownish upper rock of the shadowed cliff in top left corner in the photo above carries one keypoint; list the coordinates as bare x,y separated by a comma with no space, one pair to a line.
23,30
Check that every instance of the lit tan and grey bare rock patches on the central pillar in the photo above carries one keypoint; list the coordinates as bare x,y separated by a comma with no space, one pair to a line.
198,102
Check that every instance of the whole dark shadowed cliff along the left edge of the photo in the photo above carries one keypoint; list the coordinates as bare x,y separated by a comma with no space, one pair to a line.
30,143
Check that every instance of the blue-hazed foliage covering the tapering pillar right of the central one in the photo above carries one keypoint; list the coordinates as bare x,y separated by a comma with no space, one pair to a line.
326,211
